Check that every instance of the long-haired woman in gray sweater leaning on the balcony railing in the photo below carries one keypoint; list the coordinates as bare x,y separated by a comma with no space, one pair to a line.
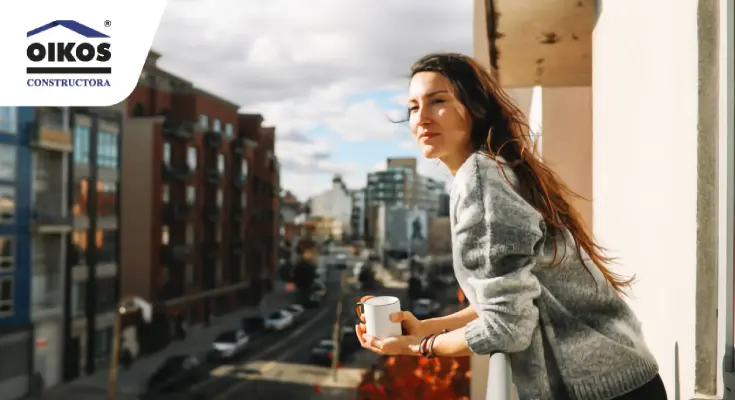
536,279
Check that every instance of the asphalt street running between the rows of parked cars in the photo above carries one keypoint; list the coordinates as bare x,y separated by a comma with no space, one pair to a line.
278,366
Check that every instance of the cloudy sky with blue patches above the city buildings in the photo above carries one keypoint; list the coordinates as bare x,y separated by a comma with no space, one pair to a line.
330,75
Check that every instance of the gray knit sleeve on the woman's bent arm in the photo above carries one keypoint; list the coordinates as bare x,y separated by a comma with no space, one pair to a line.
498,237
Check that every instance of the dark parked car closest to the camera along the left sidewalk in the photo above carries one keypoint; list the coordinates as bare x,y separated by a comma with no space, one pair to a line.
174,375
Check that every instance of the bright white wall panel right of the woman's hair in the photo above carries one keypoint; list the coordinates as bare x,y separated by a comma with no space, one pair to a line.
645,166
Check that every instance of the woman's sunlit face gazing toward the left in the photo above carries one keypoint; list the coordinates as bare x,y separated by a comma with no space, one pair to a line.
439,121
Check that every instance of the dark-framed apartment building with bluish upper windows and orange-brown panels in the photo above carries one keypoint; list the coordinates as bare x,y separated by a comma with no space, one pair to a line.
93,256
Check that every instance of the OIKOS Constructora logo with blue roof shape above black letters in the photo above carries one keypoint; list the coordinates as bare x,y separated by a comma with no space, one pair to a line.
90,55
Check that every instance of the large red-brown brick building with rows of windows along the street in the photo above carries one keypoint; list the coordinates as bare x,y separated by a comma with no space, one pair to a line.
190,169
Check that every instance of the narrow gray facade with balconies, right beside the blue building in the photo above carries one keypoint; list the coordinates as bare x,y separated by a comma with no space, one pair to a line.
50,225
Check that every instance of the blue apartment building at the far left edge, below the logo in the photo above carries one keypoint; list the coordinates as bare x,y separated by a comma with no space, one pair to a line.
16,330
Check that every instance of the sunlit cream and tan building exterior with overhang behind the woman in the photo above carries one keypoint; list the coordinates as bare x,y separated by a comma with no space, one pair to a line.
619,91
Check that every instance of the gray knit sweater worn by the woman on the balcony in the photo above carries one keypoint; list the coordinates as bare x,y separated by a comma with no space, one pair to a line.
568,335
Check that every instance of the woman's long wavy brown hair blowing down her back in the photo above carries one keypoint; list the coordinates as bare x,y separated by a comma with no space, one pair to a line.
499,128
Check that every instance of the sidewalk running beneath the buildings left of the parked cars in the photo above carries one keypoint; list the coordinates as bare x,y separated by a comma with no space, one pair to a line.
198,341
